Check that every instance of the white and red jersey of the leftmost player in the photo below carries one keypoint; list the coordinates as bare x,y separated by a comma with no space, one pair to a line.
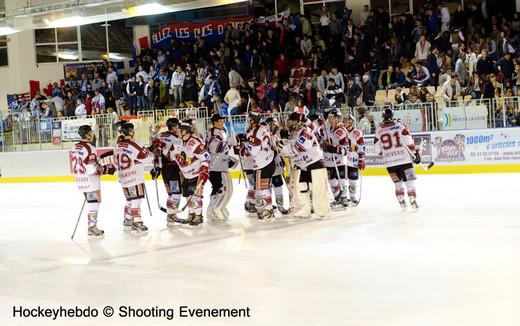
85,166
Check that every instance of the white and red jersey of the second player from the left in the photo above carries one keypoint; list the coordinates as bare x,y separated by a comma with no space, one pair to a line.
130,158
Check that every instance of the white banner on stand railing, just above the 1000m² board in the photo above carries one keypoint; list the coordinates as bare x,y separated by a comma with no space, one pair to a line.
464,117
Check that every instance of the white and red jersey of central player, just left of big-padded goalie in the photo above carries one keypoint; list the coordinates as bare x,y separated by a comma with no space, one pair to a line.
260,146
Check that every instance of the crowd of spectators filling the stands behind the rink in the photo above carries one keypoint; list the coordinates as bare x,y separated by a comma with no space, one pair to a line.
437,53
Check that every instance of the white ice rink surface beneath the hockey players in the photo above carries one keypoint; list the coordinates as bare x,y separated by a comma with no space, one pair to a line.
455,262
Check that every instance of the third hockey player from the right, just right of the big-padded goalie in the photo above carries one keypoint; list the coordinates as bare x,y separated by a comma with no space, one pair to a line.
335,149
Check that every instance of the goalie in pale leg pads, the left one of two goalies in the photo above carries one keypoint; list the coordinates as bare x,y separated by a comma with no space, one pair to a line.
221,183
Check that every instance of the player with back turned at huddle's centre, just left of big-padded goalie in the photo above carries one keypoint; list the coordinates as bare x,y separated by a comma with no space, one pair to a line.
260,147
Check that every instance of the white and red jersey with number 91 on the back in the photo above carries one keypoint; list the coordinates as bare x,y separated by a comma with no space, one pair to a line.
390,139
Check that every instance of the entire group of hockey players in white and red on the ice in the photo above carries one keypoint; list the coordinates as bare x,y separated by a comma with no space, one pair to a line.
314,149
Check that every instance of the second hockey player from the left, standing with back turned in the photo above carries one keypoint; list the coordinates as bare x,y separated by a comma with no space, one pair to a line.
130,158
